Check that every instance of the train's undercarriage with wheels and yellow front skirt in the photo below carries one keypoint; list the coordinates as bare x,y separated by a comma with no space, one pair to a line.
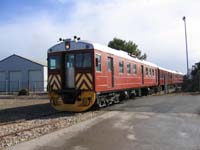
83,101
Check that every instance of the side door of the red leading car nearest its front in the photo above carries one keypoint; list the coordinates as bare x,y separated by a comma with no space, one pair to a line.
110,70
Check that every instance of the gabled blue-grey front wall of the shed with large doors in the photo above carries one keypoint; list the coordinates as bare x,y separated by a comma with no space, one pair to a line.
19,73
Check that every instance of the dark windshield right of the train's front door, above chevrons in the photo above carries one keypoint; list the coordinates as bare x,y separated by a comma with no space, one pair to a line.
83,60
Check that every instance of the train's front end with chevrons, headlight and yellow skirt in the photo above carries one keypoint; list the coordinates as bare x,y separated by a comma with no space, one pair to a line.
71,76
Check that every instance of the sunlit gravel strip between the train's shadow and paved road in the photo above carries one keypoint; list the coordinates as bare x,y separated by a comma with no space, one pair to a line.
49,124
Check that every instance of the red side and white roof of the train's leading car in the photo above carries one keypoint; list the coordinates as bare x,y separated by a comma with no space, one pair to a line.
119,71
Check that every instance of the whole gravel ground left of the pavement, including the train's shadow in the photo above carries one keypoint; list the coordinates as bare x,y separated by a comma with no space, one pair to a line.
24,109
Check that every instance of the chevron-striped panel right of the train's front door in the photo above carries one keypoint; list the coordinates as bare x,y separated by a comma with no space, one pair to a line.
84,81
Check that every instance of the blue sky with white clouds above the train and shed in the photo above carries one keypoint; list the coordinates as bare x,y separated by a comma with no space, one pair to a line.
29,27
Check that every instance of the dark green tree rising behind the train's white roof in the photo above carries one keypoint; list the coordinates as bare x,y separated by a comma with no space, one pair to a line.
129,47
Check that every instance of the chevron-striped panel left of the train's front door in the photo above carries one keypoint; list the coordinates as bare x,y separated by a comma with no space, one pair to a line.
55,81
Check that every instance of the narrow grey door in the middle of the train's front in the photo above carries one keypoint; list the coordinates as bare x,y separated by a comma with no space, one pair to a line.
69,71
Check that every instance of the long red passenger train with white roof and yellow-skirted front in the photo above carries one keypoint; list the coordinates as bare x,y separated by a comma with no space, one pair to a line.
83,74
